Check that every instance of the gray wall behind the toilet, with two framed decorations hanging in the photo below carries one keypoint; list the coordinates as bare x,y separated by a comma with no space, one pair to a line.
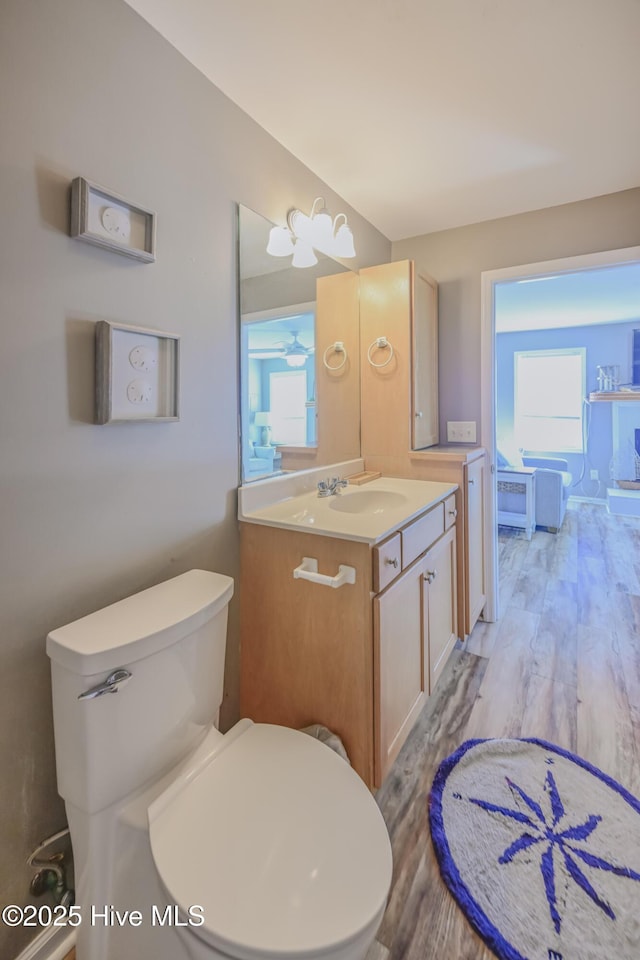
88,513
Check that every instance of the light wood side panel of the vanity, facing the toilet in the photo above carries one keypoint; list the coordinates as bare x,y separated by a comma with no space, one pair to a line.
306,650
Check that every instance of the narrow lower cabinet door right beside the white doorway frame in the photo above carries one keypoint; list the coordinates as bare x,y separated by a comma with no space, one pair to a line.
474,535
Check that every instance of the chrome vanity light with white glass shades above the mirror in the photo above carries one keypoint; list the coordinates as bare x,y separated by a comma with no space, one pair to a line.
304,233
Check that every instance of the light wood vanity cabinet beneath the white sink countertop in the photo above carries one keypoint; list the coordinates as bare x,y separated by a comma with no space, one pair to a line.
360,659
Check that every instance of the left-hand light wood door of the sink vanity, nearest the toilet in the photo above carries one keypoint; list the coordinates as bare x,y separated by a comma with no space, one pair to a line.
399,658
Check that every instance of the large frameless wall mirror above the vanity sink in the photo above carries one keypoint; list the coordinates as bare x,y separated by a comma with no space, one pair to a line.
298,408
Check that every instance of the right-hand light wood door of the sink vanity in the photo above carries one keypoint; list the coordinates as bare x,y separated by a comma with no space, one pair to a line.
439,604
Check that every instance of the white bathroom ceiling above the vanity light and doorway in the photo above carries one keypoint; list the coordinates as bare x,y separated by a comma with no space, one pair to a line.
429,114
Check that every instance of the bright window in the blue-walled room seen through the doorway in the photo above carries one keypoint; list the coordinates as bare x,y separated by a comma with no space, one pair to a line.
549,387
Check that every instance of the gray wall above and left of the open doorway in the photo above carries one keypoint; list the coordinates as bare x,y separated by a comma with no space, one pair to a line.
456,258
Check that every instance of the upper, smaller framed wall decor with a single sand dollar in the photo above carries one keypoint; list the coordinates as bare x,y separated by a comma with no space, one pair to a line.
111,222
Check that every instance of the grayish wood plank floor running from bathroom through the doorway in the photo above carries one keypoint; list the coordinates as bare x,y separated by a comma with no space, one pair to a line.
563,664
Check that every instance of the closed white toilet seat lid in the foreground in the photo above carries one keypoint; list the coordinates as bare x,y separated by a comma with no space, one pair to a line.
279,842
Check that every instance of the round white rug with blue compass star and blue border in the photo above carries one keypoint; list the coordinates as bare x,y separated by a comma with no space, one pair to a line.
540,849
